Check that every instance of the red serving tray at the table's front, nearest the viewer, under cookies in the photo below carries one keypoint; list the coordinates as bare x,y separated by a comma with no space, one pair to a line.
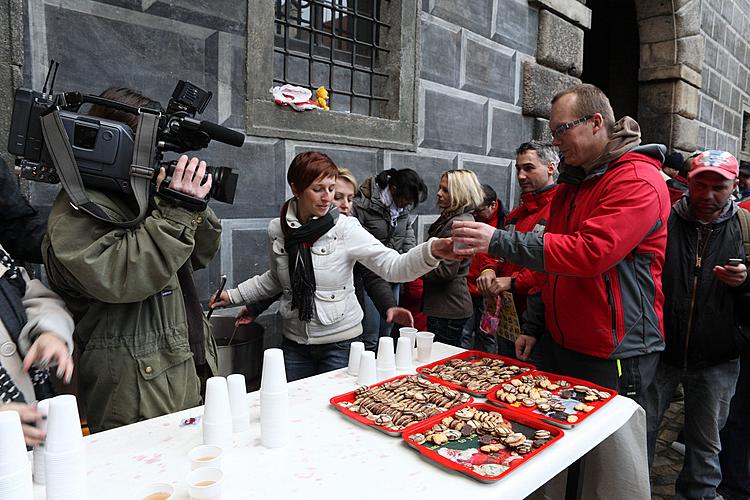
510,415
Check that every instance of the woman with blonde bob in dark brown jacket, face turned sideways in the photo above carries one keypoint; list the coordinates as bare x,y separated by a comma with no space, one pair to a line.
446,301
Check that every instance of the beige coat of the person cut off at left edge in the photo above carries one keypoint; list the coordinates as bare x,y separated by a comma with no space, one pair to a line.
45,312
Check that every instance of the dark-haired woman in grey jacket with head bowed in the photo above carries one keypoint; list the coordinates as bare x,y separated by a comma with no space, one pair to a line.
382,205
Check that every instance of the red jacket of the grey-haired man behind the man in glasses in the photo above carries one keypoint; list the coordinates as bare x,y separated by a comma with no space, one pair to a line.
530,216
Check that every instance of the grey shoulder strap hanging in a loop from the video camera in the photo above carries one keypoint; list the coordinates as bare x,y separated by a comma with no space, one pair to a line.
141,171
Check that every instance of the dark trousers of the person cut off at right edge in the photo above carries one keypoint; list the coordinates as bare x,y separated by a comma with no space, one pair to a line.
735,439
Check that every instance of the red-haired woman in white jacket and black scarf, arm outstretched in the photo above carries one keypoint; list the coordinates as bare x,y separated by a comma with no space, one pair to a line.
313,253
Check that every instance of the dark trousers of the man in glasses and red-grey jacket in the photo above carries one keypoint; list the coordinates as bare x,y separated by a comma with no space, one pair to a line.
630,377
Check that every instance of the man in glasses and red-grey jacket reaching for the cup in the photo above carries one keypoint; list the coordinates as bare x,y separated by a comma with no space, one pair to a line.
602,250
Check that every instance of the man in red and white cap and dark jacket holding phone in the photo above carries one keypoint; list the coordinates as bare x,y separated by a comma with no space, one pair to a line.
704,339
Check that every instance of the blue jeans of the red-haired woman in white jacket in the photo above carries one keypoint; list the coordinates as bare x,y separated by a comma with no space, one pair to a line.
303,361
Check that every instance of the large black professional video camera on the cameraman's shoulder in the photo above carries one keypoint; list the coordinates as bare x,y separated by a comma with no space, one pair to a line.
103,149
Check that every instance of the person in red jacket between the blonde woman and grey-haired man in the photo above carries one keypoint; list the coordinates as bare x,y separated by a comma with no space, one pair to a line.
472,337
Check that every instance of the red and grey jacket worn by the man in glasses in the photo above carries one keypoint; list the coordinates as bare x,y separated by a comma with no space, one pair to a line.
603,250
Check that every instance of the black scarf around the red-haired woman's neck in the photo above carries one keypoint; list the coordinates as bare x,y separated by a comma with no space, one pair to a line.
297,242
